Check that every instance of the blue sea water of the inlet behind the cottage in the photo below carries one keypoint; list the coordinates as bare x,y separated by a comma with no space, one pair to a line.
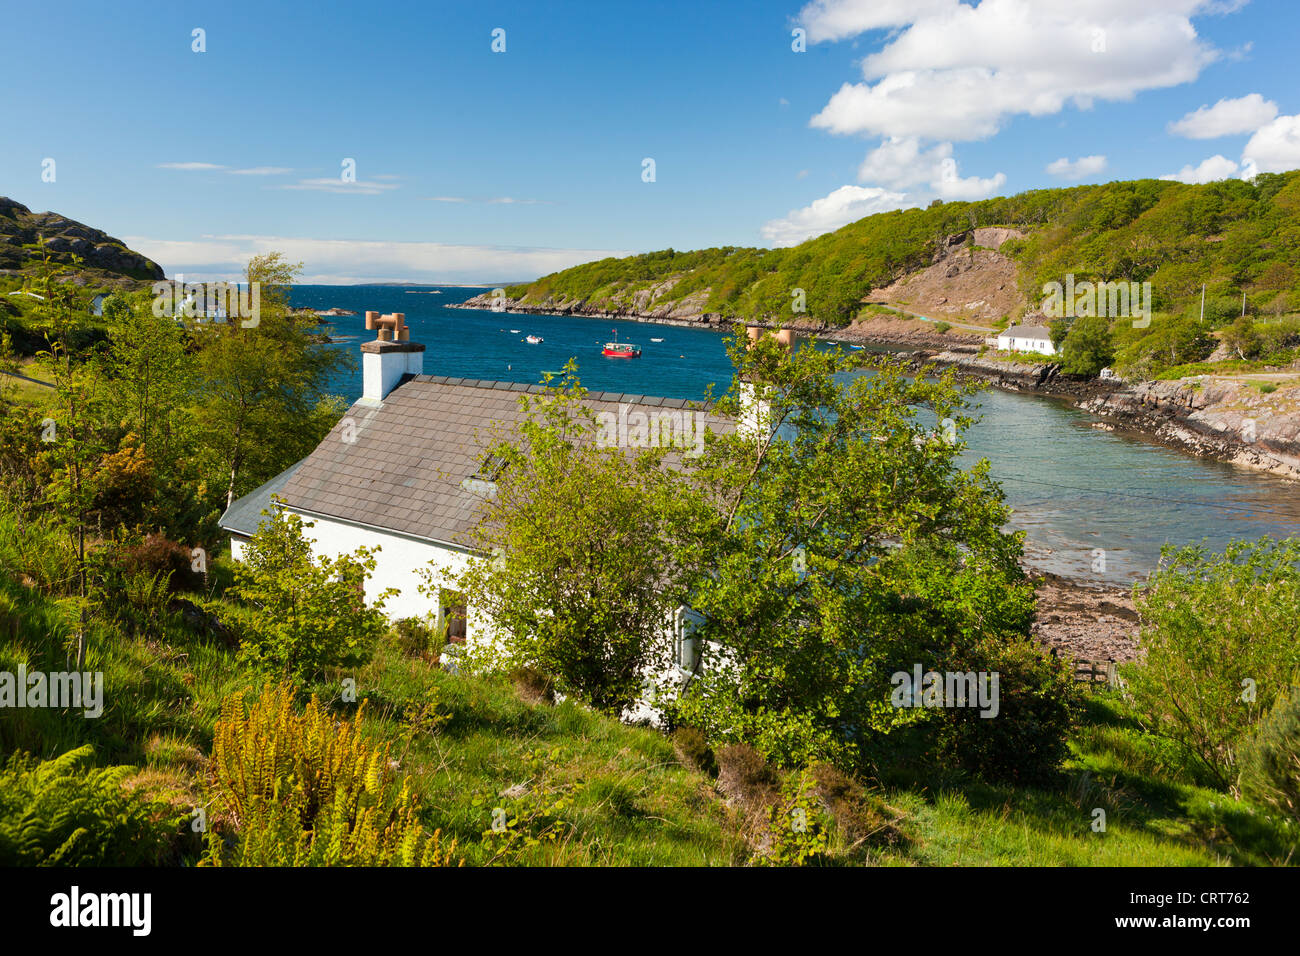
1074,490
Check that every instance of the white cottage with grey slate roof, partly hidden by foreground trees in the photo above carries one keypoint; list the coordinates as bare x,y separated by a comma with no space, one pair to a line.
404,470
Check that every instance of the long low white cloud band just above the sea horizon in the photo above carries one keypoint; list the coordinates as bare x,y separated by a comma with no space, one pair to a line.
348,261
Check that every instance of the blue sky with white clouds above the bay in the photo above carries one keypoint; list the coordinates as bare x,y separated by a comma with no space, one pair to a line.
478,166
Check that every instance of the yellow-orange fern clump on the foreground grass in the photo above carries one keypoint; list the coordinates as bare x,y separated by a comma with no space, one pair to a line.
304,790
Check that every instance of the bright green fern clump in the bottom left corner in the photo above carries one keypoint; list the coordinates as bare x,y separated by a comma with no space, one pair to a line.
66,812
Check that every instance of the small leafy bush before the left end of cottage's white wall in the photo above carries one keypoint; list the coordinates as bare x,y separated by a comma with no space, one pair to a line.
309,615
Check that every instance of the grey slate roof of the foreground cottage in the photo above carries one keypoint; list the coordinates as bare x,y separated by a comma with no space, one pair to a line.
405,468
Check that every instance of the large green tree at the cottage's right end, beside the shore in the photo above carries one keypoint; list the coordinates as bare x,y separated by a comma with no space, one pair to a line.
838,544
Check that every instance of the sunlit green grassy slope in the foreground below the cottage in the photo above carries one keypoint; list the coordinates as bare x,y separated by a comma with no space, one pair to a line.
632,802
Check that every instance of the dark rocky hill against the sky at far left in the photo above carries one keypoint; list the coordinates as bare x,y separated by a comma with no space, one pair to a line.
106,261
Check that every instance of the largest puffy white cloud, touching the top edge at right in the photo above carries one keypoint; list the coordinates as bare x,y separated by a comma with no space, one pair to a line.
955,72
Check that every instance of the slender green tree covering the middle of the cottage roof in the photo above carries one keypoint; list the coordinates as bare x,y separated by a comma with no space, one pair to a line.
575,531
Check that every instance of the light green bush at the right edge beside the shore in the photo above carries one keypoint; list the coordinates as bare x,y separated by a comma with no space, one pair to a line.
1220,634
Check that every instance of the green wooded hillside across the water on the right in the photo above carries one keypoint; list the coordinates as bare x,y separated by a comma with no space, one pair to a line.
1232,236
